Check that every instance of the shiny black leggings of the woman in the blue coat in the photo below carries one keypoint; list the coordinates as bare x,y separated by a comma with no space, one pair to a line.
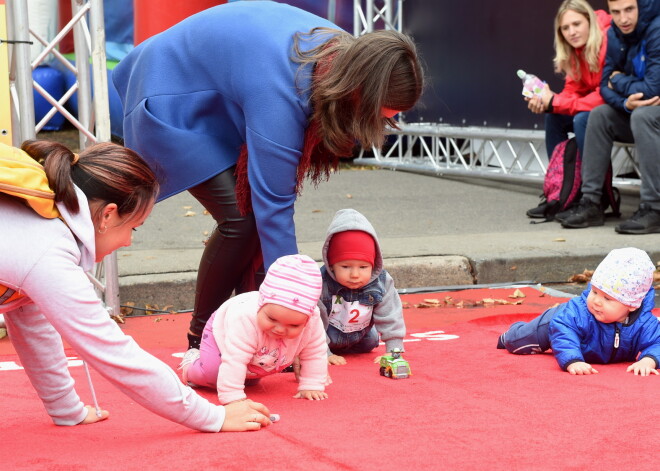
229,252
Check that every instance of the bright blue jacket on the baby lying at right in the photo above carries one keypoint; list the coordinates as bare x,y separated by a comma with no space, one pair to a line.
576,335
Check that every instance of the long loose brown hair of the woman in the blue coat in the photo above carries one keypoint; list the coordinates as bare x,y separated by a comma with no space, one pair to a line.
376,70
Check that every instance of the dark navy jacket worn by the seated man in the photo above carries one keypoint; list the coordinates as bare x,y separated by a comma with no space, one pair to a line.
636,55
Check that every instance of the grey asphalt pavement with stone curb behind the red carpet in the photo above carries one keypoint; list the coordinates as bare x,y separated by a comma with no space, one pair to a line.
435,234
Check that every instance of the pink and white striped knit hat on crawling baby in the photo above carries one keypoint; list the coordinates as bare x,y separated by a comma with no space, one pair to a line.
292,281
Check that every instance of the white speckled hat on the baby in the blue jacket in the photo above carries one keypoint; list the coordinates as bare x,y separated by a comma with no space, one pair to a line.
626,275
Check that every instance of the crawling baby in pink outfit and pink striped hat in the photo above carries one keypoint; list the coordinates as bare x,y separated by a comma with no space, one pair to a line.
260,333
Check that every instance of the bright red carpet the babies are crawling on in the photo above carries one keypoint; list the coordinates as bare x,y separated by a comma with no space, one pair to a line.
467,406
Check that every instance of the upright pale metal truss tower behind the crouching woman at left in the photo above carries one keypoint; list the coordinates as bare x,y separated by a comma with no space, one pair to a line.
93,120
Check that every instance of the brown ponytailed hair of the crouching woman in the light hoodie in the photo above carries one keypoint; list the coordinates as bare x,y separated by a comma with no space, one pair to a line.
105,172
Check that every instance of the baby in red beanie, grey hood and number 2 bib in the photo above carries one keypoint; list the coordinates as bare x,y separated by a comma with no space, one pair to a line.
359,304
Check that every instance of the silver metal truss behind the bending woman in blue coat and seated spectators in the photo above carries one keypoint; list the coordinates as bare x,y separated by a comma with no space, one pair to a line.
485,152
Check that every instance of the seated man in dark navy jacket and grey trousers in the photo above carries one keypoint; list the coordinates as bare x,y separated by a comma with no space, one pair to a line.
631,89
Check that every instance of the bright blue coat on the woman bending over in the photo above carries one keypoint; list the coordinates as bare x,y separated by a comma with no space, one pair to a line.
194,94
